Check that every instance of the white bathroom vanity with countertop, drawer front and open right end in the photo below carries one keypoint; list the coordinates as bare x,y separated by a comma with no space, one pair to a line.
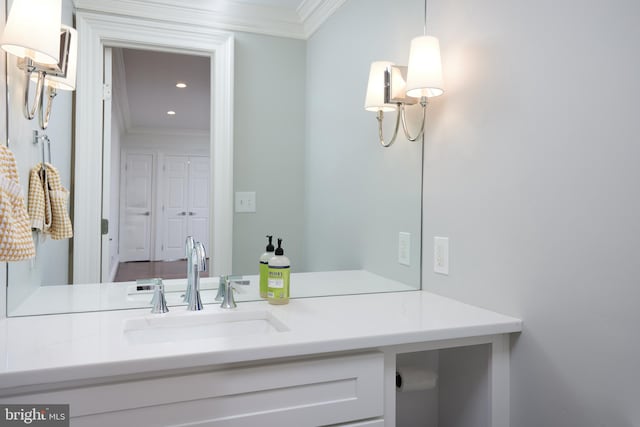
315,361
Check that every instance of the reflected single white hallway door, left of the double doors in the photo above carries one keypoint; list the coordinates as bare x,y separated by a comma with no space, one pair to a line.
137,200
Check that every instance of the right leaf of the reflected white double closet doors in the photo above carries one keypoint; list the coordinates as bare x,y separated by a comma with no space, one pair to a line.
199,200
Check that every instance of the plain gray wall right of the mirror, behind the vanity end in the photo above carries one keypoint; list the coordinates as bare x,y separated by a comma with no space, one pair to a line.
532,171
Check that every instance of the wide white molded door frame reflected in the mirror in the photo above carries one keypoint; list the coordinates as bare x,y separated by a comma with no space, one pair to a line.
100,30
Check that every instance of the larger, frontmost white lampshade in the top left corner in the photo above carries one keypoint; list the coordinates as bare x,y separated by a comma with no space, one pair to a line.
33,30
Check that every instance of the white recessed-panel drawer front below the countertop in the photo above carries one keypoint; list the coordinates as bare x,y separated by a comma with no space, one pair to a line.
300,393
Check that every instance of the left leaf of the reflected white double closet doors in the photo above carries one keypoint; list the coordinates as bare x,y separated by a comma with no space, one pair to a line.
175,193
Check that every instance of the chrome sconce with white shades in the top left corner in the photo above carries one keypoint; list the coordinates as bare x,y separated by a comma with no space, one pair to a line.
46,50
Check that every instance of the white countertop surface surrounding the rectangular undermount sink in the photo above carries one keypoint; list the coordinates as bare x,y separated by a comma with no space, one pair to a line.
42,350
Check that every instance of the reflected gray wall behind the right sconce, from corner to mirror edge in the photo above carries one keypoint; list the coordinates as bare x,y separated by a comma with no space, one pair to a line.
359,196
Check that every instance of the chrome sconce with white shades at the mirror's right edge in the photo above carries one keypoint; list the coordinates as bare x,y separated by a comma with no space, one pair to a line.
392,87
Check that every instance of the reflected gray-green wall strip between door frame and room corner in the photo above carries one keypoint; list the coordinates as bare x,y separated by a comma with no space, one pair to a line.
269,147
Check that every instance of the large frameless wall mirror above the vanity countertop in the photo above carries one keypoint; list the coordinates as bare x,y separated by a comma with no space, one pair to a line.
275,118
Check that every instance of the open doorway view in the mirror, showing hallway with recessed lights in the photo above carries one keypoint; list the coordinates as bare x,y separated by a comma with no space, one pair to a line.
159,162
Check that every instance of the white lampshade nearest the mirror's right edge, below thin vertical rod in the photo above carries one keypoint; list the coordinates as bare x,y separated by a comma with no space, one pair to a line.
424,77
